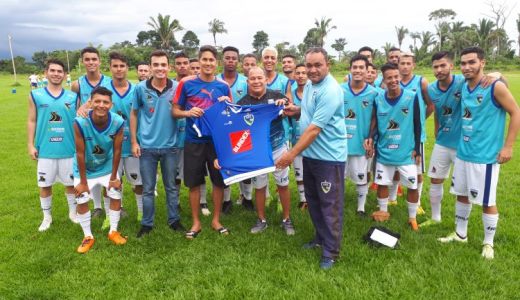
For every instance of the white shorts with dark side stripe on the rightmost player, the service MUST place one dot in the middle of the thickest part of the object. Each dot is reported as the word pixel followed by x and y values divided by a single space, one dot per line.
pixel 476 181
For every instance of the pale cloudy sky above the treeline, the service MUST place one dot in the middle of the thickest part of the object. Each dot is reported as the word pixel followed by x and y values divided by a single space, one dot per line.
pixel 50 25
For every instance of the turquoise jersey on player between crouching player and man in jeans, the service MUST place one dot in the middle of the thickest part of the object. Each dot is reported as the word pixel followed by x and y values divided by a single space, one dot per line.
pixel 122 105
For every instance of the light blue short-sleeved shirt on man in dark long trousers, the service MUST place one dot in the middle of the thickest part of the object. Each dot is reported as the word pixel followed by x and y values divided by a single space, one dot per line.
pixel 322 106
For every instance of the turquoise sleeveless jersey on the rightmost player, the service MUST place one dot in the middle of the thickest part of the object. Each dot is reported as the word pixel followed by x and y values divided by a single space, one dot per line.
pixel 483 122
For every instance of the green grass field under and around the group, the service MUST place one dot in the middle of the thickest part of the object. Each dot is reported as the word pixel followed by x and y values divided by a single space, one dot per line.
pixel 270 265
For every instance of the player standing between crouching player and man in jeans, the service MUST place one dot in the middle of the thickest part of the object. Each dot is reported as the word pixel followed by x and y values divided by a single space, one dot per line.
pixel 123 94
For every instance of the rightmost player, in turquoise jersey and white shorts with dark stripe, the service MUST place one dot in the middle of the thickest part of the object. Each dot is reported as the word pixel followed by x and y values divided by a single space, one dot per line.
pixel 481 148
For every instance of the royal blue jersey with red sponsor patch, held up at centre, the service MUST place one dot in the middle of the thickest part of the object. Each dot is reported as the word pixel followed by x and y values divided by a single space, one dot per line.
pixel 241 138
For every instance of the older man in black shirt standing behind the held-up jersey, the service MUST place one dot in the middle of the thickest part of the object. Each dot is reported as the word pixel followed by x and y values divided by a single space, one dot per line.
pixel 259 94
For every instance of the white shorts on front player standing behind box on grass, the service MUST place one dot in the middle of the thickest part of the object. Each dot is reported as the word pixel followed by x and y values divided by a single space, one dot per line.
pixel 385 174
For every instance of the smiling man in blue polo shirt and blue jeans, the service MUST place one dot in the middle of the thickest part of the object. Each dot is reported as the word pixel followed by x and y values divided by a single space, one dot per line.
pixel 153 133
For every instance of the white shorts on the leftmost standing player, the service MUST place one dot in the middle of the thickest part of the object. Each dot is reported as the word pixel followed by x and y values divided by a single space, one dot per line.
pixel 51 170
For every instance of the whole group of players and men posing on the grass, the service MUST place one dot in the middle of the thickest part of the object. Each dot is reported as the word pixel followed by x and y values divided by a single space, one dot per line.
pixel 370 126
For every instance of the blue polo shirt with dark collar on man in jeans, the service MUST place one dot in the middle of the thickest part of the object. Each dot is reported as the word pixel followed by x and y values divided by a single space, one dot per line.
pixel 156 127
